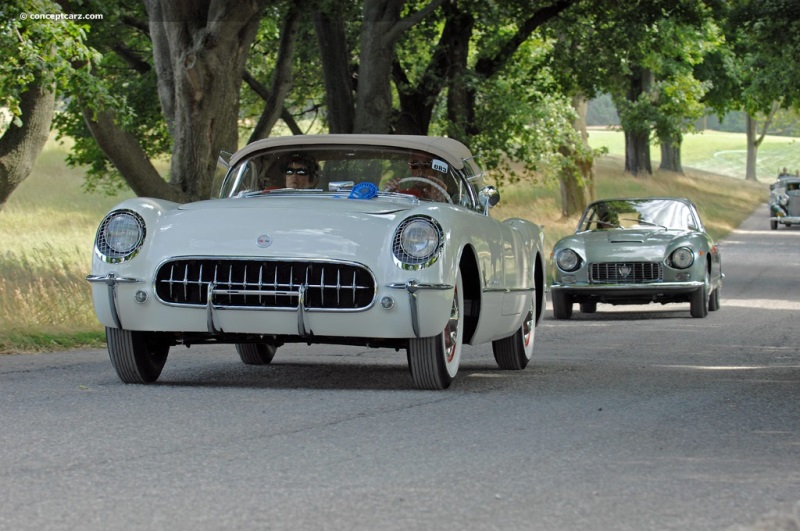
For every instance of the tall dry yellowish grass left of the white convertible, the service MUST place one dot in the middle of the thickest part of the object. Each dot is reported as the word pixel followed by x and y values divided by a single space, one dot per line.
pixel 47 229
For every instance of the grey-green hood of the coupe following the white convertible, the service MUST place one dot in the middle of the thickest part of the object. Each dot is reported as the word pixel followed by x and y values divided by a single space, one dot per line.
pixel 625 244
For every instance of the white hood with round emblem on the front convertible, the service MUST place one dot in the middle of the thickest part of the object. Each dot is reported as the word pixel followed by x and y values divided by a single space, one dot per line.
pixel 337 228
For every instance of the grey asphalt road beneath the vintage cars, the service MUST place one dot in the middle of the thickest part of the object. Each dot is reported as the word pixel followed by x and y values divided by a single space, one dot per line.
pixel 631 418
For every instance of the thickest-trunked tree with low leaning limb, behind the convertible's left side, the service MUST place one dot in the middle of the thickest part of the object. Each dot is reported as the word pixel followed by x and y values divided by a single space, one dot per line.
pixel 194 59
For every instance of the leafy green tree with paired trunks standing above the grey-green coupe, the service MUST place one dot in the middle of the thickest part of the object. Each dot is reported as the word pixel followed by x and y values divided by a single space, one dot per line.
pixel 641 52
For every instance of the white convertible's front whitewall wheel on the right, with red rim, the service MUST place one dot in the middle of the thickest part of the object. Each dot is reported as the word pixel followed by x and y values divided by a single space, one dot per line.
pixel 433 361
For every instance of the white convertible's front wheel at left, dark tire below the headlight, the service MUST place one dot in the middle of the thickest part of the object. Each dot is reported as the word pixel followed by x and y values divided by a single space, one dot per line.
pixel 138 357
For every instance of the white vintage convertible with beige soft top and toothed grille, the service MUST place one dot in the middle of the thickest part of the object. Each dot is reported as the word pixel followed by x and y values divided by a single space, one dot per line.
pixel 391 246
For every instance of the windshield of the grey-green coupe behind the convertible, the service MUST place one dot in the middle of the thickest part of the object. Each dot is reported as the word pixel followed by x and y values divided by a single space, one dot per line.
pixel 639 214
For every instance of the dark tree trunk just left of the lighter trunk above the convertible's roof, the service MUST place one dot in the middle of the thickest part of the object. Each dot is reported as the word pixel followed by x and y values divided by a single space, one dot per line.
pixel 337 74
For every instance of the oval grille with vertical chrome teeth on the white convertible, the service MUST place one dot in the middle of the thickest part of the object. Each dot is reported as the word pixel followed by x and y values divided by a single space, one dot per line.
pixel 265 283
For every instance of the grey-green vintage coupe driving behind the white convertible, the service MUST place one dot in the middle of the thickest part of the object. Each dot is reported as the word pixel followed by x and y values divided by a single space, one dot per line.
pixel 637 251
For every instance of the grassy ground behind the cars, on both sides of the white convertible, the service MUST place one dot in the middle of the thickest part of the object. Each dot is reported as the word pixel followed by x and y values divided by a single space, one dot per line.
pixel 47 228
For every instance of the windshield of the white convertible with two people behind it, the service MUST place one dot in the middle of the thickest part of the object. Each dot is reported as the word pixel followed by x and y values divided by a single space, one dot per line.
pixel 341 168
